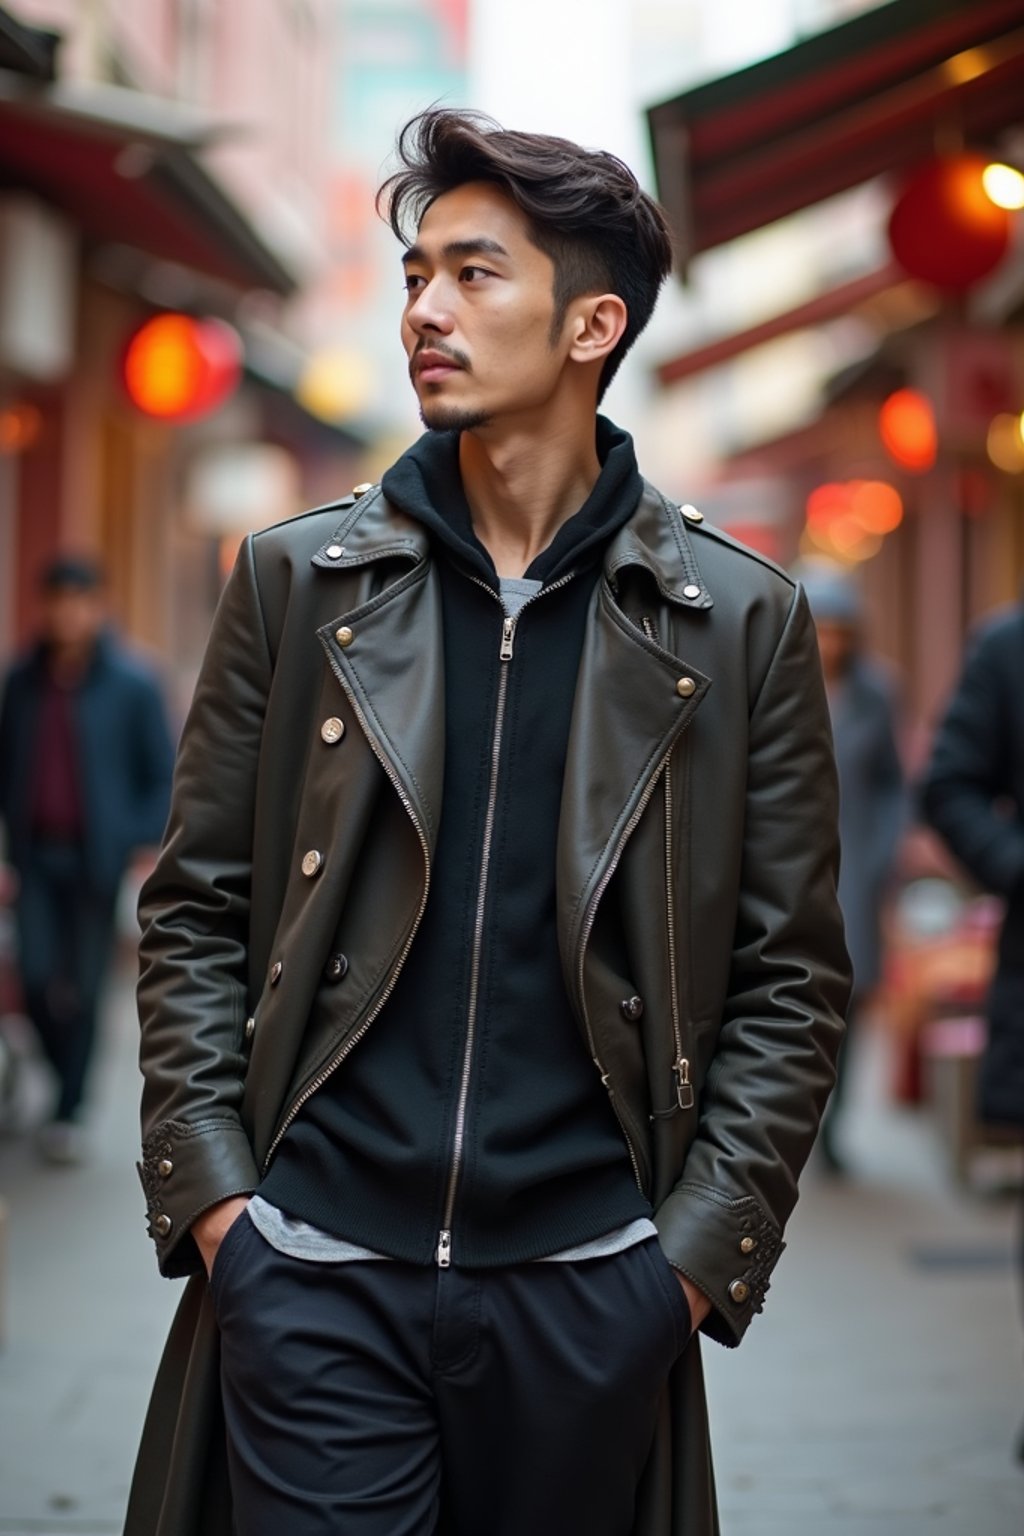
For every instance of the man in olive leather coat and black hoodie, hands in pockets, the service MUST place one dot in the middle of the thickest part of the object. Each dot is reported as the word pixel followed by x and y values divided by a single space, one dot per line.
pixel 494 975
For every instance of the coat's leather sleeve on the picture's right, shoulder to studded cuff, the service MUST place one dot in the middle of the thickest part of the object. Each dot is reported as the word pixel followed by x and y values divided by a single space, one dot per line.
pixel 784 1019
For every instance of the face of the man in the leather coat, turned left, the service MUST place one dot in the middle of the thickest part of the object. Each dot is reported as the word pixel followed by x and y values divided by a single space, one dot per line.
pixel 480 311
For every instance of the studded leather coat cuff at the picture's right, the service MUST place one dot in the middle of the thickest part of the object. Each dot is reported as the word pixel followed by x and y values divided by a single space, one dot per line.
pixel 728 1248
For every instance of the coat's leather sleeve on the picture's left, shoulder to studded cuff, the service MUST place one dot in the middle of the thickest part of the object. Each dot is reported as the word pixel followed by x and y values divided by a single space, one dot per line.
pixel 194 913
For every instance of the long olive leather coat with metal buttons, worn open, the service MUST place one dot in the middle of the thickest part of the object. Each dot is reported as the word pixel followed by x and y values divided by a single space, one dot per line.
pixel 699 790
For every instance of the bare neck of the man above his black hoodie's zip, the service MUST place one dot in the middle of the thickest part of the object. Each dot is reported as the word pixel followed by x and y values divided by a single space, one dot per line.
pixel 521 489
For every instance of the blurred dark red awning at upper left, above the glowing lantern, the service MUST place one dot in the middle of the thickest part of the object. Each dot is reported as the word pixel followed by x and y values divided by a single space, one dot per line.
pixel 127 168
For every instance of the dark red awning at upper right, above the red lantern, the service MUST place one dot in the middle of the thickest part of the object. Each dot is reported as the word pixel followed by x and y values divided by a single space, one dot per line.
pixel 871 96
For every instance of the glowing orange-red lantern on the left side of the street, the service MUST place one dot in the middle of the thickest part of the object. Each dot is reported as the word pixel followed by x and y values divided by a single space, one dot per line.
pixel 180 369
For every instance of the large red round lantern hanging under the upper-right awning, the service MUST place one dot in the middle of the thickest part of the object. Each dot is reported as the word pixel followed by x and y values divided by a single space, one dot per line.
pixel 945 228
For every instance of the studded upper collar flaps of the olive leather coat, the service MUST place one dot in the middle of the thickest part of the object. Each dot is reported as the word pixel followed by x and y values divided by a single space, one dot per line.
pixel 656 538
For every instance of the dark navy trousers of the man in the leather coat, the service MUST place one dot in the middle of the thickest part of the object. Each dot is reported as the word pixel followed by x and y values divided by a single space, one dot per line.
pixel 375 1399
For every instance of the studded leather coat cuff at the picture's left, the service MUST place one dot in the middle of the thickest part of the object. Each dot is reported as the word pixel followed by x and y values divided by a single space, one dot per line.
pixel 185 1171
